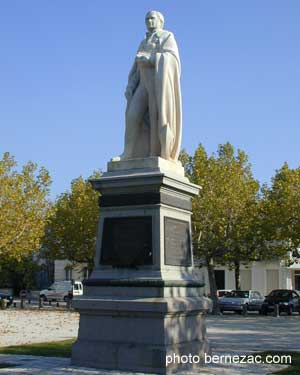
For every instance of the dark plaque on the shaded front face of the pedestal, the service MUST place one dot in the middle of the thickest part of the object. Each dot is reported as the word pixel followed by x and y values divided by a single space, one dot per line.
pixel 127 241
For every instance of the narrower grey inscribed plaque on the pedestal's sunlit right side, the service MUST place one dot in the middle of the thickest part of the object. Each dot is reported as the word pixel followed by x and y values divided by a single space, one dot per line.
pixel 177 242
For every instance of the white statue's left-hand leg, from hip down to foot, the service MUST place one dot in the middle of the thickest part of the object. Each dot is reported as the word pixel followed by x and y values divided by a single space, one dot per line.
pixel 134 116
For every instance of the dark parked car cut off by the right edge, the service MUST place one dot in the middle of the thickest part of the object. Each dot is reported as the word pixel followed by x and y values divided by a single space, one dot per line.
pixel 287 300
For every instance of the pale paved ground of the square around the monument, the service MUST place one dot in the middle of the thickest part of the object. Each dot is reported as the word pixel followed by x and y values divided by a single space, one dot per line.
pixel 228 334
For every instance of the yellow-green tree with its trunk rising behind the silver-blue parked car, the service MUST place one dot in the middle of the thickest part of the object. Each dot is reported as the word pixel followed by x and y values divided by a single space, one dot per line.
pixel 240 210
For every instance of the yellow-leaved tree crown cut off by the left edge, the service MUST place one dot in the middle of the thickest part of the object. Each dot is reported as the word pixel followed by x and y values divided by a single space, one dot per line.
pixel 24 208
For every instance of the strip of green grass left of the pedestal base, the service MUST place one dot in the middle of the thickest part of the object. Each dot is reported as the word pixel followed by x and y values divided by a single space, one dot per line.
pixel 44 349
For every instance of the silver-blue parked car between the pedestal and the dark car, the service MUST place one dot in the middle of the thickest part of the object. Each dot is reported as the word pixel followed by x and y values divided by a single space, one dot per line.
pixel 241 301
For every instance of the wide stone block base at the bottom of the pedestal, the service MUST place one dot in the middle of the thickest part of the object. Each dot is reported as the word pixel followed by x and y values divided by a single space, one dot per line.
pixel 139 334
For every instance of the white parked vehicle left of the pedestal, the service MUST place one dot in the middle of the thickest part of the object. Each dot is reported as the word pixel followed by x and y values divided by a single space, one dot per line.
pixel 62 291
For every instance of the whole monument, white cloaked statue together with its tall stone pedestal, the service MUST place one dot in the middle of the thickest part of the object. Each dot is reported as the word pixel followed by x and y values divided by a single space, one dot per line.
pixel 143 301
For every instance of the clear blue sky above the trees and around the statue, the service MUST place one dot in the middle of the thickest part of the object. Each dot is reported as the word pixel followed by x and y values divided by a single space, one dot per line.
pixel 64 67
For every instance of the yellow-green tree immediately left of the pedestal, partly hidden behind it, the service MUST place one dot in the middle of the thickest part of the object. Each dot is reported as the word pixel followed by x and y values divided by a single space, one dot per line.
pixel 71 233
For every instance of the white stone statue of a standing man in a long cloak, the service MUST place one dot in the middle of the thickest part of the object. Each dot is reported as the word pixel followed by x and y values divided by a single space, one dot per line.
pixel 153 113
